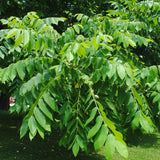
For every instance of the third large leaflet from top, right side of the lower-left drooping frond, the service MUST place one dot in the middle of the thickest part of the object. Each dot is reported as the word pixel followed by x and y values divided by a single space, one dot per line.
pixel 40 117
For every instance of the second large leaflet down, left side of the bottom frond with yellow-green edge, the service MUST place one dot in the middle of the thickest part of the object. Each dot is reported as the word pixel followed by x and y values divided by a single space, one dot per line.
pixel 92 132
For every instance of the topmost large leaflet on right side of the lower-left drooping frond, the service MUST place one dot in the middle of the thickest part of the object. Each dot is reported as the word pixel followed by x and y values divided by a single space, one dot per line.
pixel 50 101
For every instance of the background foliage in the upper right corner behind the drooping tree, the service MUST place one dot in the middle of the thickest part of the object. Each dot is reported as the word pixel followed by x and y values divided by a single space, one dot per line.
pixel 146 13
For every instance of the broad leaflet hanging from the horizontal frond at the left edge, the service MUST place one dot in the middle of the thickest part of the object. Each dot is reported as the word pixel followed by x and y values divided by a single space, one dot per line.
pixel 20 67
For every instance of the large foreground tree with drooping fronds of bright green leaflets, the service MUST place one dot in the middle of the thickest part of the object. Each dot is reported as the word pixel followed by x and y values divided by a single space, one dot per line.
pixel 87 82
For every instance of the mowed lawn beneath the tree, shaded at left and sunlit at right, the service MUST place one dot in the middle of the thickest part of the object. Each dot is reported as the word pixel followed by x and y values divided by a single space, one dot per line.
pixel 12 148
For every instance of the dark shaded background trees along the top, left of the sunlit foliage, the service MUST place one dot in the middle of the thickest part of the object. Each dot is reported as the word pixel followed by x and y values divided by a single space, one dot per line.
pixel 51 7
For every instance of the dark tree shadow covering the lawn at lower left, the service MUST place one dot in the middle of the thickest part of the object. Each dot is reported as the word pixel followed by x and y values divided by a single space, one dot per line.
pixel 12 147
